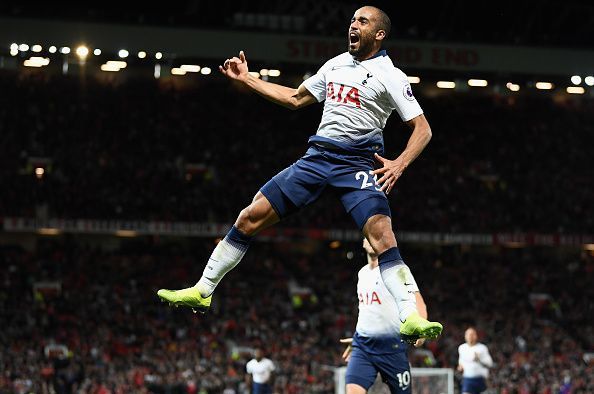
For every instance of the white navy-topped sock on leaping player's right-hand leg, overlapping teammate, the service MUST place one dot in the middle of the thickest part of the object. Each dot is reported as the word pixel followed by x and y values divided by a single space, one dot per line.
pixel 399 281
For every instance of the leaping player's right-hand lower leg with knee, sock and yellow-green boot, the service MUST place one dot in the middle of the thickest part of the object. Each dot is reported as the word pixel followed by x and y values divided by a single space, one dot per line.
pixel 398 279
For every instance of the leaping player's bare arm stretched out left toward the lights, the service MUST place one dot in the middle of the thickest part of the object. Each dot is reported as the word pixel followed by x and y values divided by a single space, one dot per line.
pixel 236 68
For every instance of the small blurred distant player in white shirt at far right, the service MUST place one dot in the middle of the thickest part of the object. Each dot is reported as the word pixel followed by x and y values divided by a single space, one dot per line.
pixel 474 362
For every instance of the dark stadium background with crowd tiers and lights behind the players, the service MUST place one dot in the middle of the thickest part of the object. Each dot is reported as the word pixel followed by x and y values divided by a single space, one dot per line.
pixel 114 184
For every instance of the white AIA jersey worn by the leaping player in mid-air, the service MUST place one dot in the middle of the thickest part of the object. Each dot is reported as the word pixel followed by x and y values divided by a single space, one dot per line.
pixel 360 96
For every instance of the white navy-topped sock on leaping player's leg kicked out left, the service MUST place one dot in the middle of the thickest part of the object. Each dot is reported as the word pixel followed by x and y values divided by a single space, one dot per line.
pixel 226 255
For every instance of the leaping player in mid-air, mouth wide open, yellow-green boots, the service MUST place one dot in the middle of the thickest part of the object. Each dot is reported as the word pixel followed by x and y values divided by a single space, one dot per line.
pixel 360 89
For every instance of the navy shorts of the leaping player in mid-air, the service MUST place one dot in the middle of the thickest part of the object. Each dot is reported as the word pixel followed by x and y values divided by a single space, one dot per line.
pixel 348 175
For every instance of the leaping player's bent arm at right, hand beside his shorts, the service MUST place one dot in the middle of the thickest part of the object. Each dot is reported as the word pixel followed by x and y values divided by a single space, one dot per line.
pixel 392 169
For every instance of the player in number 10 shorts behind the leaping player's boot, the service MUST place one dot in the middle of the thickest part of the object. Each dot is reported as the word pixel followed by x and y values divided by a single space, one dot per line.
pixel 376 346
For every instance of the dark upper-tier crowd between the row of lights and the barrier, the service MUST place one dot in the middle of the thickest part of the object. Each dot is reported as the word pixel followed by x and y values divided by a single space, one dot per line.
pixel 144 149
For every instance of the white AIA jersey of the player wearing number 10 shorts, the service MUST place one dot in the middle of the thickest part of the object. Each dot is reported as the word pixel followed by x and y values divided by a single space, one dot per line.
pixel 378 311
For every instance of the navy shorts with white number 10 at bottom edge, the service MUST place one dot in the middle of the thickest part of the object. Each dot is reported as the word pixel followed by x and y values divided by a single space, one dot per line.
pixel 394 369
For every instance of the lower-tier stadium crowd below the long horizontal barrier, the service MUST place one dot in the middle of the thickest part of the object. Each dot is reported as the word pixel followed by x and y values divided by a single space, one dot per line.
pixel 78 318
